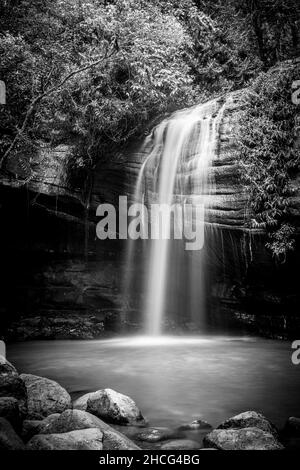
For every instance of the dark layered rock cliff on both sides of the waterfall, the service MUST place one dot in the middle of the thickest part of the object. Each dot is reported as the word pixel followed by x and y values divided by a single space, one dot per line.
pixel 60 281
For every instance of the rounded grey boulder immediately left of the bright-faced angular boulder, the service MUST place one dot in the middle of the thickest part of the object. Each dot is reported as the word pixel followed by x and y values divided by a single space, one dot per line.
pixel 44 396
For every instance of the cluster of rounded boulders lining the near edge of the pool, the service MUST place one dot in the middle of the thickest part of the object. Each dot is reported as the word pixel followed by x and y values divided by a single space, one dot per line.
pixel 36 413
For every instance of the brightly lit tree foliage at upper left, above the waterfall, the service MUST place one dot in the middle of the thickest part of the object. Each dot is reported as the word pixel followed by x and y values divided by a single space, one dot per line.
pixel 42 42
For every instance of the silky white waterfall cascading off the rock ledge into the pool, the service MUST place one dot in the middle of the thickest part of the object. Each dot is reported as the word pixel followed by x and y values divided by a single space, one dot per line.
pixel 178 155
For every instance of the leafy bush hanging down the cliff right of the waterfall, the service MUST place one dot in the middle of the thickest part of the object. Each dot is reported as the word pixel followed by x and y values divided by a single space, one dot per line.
pixel 269 156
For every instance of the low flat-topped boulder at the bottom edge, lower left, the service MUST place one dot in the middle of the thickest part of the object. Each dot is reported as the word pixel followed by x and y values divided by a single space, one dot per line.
pixel 85 439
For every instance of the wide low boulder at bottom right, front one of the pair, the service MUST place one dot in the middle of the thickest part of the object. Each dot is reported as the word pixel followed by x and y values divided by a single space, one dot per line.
pixel 250 438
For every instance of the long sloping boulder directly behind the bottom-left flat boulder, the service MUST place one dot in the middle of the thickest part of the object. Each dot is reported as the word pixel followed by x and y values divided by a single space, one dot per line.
pixel 74 420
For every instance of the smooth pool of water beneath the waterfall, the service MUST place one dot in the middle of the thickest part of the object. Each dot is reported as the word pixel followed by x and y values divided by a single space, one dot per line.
pixel 174 380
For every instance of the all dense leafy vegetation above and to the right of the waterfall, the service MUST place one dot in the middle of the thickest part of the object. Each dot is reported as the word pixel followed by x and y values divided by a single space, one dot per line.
pixel 93 73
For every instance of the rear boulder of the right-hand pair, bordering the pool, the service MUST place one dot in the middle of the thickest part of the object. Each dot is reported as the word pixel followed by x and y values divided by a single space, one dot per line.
pixel 249 419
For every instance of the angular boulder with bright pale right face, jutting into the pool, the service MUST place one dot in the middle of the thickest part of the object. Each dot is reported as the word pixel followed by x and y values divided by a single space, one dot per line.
pixel 114 407
